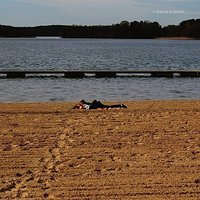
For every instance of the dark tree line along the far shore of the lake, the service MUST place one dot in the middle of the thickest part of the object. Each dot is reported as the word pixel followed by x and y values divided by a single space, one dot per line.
pixel 125 29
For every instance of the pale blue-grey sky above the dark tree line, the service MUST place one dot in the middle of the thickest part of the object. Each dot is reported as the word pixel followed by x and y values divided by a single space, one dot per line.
pixel 95 12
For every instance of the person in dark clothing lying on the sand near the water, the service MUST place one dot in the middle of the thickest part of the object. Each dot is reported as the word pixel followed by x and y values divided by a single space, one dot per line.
pixel 96 105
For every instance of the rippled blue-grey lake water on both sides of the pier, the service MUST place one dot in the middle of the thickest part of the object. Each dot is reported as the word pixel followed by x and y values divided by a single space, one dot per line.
pixel 98 54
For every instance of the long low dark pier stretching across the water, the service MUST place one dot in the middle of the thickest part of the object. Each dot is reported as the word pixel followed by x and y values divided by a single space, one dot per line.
pixel 103 73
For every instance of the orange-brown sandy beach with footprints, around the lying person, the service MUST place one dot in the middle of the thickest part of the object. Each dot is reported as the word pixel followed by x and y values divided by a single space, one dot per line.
pixel 149 151
